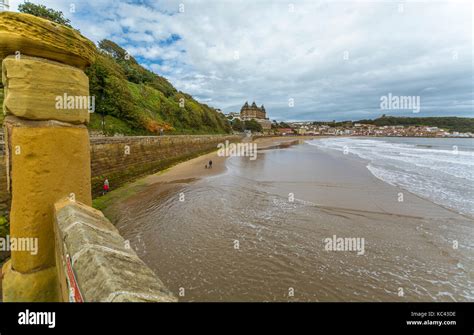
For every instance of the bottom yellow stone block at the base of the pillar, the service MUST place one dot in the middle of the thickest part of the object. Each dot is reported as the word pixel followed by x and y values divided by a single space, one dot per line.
pixel 27 287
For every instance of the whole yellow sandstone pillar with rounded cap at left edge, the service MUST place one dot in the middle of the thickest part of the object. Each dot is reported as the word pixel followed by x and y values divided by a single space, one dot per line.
pixel 47 142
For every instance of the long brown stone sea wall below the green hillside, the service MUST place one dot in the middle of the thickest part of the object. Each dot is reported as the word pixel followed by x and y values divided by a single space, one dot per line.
pixel 123 159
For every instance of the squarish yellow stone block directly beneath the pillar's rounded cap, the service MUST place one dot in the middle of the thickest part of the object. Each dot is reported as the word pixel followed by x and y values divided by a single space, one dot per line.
pixel 39 89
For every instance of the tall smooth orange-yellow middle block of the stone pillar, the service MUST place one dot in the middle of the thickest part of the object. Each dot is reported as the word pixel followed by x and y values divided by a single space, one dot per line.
pixel 49 161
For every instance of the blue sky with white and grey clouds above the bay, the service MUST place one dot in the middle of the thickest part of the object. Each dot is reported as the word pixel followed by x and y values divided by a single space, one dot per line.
pixel 304 60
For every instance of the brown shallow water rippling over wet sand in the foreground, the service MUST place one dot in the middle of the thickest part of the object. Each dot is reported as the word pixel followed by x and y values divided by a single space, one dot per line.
pixel 239 237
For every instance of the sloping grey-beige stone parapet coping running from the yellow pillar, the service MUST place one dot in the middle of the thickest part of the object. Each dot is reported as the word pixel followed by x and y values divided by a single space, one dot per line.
pixel 95 263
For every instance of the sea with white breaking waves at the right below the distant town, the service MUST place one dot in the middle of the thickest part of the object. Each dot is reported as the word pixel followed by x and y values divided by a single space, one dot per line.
pixel 439 169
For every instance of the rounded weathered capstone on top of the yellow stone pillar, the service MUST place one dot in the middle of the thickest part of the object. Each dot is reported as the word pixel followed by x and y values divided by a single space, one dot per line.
pixel 34 36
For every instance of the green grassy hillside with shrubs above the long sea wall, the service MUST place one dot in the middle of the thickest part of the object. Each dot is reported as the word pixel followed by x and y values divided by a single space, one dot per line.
pixel 135 101
